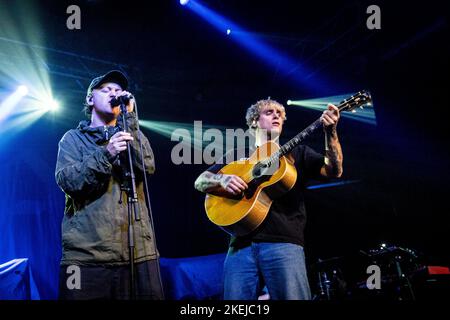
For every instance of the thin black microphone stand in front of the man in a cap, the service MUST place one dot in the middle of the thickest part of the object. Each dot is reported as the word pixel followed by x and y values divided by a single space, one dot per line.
pixel 132 200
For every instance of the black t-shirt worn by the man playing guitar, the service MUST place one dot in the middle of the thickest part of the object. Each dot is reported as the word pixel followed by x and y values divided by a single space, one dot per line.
pixel 286 219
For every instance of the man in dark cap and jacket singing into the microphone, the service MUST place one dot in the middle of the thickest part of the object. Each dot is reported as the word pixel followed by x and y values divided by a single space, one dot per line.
pixel 90 169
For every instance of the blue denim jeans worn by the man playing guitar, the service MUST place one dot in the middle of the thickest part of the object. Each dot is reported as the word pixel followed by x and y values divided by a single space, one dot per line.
pixel 279 266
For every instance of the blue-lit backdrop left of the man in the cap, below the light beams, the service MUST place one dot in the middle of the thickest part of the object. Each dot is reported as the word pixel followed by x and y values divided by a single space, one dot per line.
pixel 31 208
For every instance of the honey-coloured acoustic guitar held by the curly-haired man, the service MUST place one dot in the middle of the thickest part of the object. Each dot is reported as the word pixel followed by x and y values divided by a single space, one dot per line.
pixel 269 173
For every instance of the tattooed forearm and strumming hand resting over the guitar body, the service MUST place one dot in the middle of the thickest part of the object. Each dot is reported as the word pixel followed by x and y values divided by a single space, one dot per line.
pixel 220 184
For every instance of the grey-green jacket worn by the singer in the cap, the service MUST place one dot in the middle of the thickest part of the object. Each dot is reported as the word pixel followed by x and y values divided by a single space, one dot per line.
pixel 95 223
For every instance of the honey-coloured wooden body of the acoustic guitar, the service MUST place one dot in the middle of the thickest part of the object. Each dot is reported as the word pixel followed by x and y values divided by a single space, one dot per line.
pixel 240 216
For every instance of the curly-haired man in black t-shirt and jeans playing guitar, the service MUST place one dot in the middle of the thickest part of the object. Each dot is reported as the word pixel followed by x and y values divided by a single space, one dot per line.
pixel 272 255
